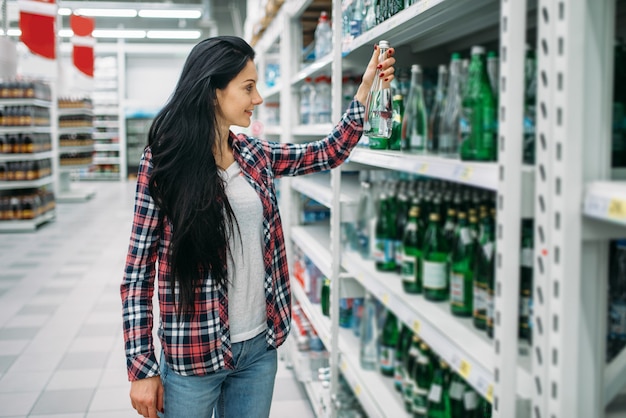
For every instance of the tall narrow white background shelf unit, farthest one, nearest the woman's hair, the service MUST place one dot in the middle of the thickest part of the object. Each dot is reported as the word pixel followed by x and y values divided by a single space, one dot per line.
pixel 107 134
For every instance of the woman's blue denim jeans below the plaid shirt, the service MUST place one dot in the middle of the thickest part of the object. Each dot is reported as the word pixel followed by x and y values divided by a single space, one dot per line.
pixel 245 391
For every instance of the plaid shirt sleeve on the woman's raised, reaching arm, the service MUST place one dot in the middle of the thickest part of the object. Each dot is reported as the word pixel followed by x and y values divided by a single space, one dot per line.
pixel 330 152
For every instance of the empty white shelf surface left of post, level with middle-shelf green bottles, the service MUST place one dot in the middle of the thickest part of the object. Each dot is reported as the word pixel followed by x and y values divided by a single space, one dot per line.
pixel 314 241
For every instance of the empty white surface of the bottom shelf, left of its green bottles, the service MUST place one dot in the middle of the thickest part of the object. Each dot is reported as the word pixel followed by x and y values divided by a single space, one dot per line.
pixel 374 391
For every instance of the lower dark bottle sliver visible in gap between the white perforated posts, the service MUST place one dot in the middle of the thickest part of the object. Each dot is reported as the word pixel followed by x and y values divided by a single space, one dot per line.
pixel 526 280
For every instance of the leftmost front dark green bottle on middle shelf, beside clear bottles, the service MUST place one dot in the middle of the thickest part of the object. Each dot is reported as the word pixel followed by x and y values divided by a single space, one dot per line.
pixel 384 247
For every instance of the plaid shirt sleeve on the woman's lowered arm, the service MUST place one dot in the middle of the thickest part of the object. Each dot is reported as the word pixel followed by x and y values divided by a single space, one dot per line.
pixel 137 285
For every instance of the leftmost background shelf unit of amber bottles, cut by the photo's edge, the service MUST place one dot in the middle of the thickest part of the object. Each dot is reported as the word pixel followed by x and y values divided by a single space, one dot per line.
pixel 27 197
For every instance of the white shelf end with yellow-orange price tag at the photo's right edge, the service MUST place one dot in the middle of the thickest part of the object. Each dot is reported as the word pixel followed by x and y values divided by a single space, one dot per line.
pixel 606 200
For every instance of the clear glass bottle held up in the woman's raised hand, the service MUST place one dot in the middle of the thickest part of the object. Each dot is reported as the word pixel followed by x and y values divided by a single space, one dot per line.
pixel 378 115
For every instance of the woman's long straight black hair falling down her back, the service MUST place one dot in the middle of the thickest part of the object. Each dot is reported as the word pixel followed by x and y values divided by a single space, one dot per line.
pixel 185 183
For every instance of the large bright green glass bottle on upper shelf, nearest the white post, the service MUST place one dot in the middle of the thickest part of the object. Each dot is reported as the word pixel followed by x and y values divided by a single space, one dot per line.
pixel 478 121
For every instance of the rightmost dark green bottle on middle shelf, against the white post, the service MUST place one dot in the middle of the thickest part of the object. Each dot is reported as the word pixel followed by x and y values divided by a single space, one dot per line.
pixel 483 268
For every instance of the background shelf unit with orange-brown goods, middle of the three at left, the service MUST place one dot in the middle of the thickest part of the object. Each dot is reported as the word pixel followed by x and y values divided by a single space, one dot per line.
pixel 76 147
